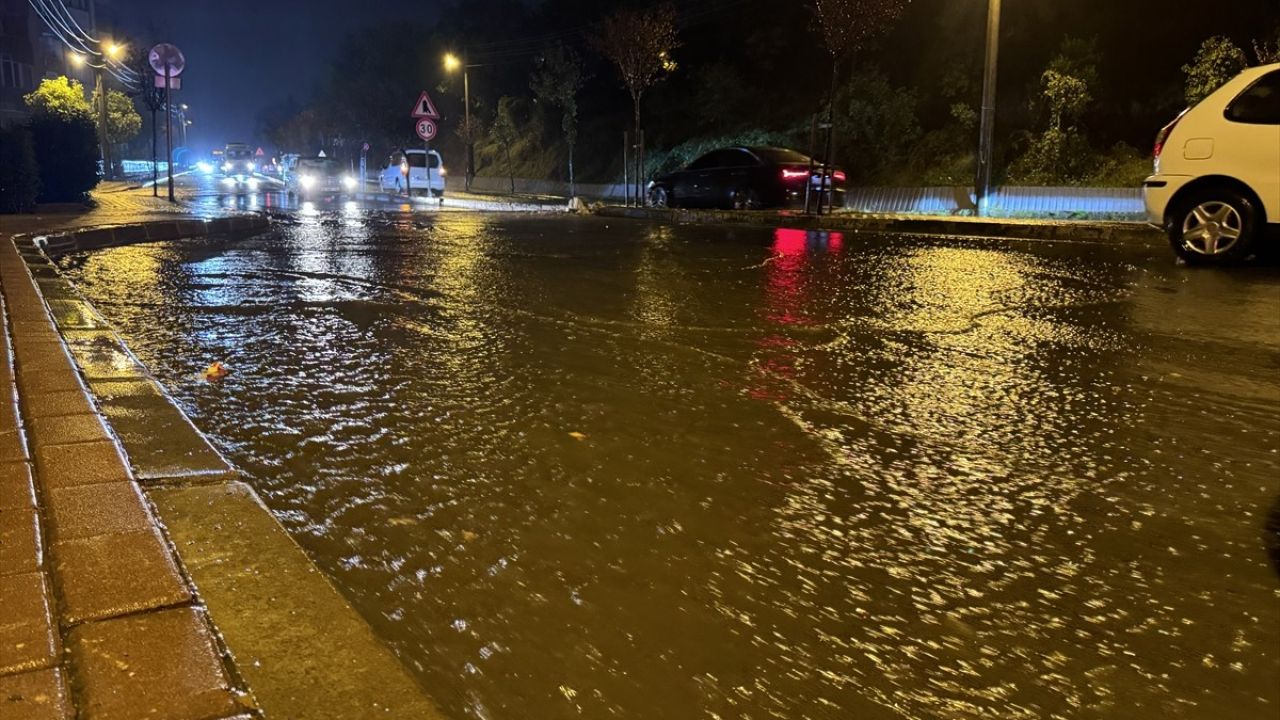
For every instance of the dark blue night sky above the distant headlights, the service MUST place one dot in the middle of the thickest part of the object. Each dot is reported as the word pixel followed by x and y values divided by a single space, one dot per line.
pixel 244 56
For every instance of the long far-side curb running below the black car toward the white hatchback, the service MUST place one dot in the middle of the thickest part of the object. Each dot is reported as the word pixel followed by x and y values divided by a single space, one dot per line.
pixel 1126 234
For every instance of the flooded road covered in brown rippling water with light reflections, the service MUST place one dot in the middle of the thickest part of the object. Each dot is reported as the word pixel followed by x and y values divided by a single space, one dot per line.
pixel 579 468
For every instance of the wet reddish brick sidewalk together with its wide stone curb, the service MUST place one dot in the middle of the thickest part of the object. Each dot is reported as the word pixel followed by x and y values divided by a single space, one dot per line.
pixel 139 576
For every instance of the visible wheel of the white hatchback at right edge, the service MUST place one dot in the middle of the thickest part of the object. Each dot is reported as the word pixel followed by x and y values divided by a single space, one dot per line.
pixel 1214 227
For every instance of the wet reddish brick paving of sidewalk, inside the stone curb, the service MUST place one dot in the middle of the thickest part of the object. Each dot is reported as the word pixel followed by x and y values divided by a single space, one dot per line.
pixel 98 619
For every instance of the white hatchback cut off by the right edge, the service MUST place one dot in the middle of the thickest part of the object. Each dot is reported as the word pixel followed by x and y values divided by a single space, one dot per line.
pixel 1217 190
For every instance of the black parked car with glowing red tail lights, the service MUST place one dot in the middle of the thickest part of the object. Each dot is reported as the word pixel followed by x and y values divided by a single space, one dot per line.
pixel 744 179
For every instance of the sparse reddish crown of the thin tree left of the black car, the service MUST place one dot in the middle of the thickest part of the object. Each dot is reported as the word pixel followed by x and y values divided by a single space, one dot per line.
pixel 641 43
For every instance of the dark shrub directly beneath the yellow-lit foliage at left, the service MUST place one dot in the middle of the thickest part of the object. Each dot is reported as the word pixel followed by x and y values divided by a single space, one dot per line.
pixel 67 156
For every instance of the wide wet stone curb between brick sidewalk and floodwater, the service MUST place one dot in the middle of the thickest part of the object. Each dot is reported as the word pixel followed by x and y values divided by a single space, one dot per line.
pixel 292 645
